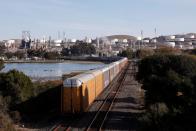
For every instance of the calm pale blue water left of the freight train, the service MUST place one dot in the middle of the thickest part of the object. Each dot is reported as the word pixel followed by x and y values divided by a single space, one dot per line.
pixel 49 70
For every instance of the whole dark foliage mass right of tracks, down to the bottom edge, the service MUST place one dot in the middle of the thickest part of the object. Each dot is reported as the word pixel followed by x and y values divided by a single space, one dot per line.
pixel 169 80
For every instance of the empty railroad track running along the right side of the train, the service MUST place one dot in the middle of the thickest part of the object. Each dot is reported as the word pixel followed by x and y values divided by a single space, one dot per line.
pixel 101 115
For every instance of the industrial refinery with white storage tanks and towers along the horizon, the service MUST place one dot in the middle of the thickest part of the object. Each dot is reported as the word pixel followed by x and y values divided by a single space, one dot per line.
pixel 108 45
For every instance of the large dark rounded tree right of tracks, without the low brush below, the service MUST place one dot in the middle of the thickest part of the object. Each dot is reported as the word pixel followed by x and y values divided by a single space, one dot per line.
pixel 168 79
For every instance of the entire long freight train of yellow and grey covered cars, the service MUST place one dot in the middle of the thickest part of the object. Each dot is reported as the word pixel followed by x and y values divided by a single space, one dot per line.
pixel 80 91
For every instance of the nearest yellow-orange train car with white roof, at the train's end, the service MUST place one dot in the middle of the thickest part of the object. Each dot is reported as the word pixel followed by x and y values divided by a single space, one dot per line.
pixel 78 93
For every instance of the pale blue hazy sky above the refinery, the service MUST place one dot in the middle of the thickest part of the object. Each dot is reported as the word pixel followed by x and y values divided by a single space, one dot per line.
pixel 95 18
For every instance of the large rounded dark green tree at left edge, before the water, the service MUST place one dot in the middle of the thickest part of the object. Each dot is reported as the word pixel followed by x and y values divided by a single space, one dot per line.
pixel 16 85
